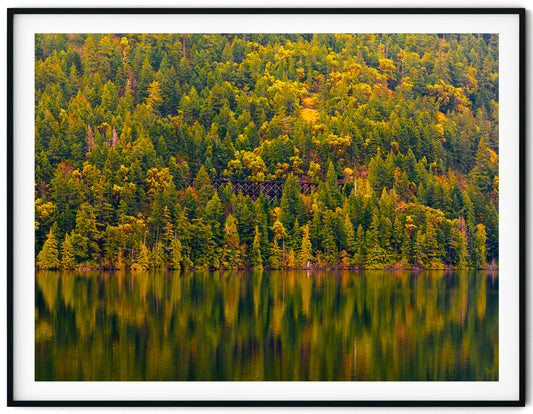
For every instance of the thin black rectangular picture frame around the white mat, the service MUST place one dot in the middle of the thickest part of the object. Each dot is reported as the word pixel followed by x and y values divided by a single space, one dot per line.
pixel 400 12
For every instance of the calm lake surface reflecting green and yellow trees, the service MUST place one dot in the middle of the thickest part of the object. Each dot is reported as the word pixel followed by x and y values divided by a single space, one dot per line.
pixel 281 326
